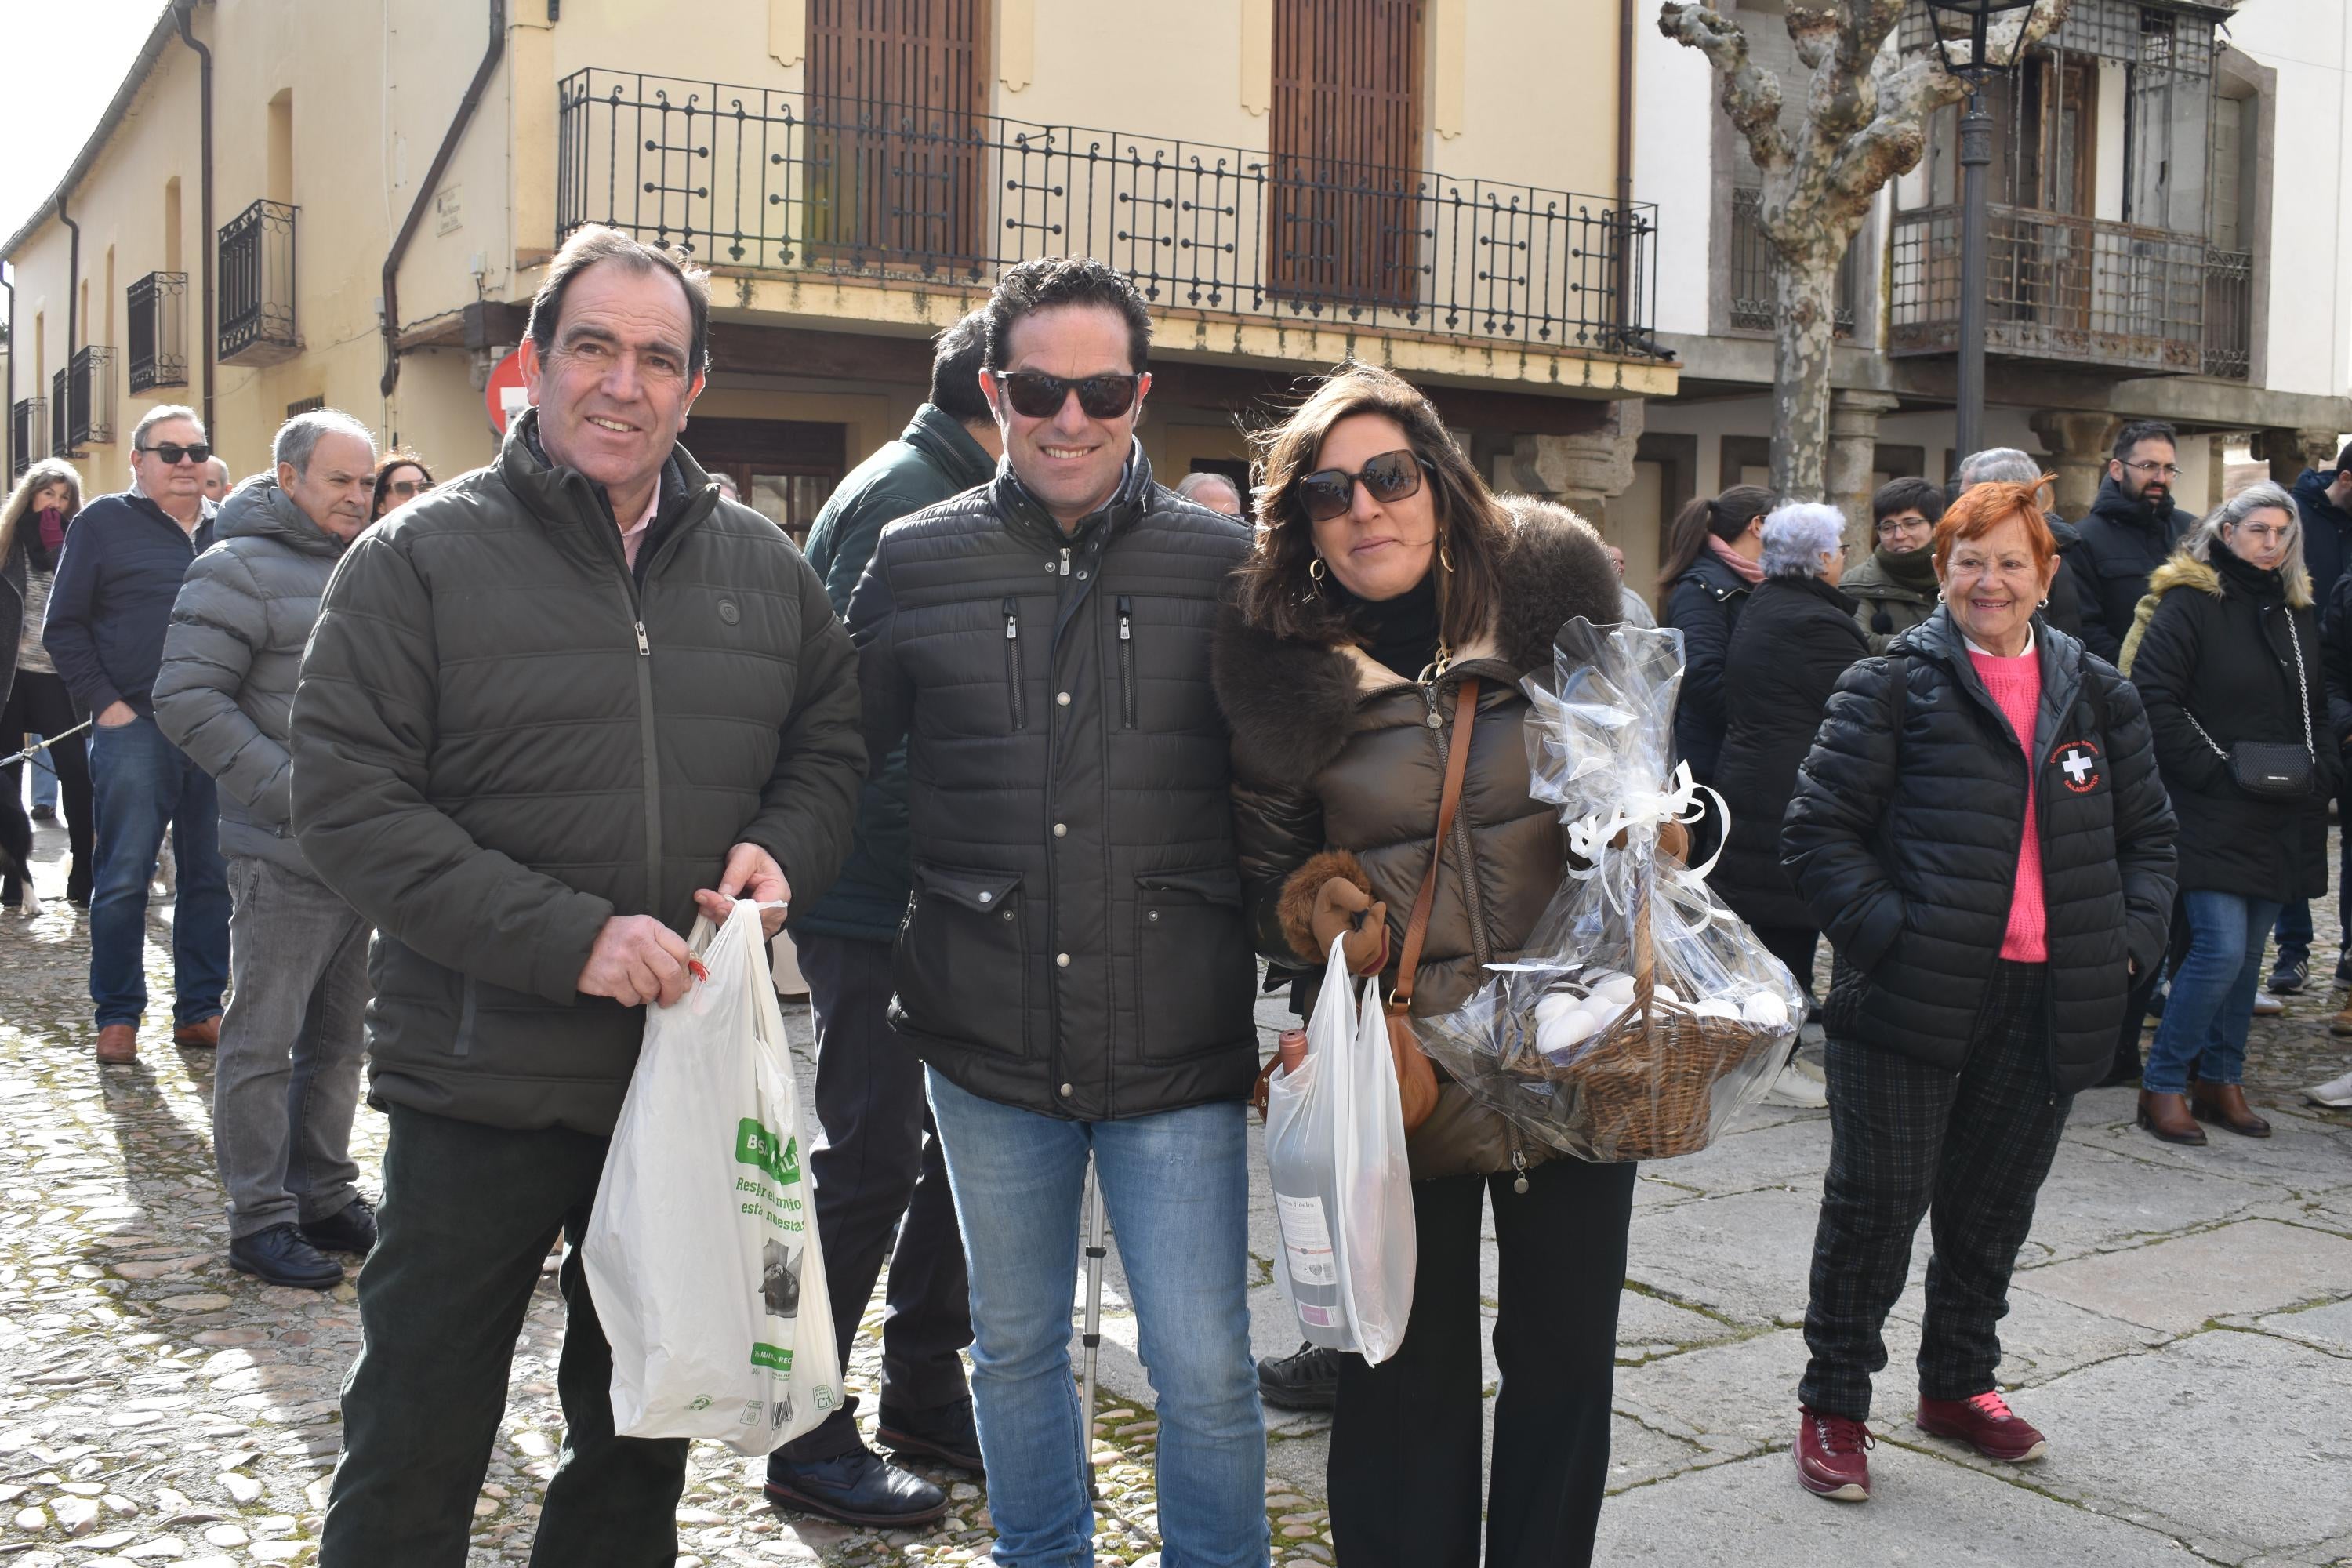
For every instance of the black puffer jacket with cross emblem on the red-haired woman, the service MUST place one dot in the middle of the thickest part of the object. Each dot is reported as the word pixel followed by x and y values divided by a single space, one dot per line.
pixel 1906 829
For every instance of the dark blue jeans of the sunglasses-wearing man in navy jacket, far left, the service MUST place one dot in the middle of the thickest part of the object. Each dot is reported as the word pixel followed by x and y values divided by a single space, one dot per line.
pixel 147 786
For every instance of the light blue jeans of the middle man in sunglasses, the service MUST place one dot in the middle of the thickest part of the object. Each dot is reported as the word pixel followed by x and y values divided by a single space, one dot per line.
pixel 1177 1191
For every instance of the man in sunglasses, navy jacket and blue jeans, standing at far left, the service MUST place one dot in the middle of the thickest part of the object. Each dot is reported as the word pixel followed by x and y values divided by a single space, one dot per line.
pixel 109 612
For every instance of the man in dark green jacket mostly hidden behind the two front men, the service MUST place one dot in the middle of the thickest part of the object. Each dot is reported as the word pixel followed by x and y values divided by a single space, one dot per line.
pixel 876 1172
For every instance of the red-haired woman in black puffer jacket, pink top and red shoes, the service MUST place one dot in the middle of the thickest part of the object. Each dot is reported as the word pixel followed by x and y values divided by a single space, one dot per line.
pixel 1984 836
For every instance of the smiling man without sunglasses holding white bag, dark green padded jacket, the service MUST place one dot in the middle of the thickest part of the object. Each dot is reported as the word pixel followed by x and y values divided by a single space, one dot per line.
pixel 547 716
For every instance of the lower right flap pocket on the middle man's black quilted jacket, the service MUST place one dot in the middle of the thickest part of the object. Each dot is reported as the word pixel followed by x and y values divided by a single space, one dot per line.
pixel 1194 963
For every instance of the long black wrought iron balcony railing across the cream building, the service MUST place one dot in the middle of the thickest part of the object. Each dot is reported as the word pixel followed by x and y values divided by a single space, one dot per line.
pixel 744 177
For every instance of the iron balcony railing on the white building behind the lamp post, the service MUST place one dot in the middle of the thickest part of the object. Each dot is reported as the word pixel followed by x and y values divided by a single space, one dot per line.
pixel 2078 290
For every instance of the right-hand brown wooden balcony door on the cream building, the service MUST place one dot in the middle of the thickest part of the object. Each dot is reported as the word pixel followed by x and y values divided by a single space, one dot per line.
pixel 1347 149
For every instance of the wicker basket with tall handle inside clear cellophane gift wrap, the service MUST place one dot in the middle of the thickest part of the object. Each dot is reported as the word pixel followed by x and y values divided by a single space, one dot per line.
pixel 1648 1083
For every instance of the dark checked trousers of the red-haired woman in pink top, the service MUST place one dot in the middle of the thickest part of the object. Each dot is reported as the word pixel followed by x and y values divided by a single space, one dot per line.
pixel 1970 1151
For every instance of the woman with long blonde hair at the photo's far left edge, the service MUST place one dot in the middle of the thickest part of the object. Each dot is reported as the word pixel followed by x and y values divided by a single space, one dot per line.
pixel 32 537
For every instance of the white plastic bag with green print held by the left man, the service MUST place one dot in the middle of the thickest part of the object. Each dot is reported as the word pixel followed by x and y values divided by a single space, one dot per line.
pixel 702 1249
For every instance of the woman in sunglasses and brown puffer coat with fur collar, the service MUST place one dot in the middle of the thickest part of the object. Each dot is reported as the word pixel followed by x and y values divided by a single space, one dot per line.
pixel 1384 577
